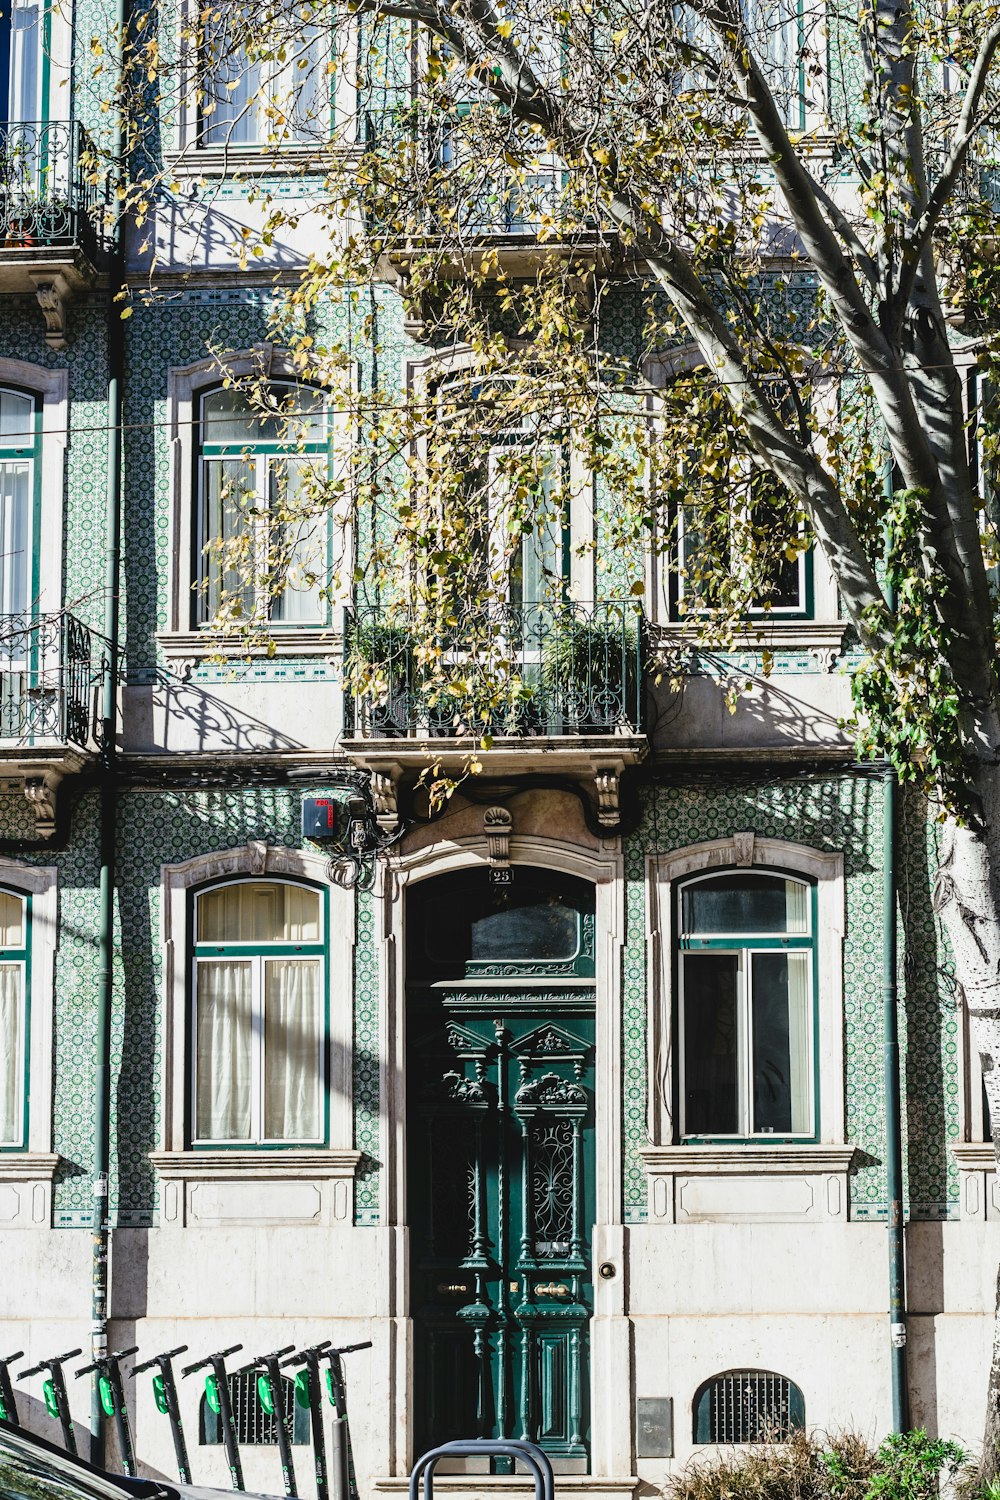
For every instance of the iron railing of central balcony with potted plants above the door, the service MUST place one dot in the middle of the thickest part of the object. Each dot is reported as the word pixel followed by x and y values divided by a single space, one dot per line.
pixel 536 671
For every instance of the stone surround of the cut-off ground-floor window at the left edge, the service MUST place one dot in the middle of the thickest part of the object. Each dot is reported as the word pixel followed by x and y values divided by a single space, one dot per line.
pixel 41 883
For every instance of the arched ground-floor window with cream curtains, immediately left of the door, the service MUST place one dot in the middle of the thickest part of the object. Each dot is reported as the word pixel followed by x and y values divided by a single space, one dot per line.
pixel 260 1015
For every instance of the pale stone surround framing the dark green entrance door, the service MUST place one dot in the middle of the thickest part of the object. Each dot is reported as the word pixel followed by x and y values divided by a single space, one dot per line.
pixel 605 871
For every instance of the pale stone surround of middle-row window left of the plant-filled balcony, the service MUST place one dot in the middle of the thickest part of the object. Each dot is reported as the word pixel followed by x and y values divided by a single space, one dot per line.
pixel 185 386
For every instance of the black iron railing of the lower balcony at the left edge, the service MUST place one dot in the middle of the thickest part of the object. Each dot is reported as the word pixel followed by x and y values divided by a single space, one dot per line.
pixel 49 671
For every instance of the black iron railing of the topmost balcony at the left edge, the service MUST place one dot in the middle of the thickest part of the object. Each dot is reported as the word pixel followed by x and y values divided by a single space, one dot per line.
pixel 50 196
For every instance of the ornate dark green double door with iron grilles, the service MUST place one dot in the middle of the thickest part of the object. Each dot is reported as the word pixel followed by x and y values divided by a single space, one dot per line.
pixel 501 1207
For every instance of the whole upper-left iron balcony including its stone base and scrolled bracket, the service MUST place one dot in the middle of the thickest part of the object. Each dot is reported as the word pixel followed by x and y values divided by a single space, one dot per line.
pixel 50 215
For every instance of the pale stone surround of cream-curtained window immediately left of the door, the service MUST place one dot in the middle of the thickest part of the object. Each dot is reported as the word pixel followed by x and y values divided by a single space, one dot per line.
pixel 266 863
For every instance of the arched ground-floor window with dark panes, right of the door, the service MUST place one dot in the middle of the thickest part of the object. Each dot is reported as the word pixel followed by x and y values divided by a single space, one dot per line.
pixel 747 1012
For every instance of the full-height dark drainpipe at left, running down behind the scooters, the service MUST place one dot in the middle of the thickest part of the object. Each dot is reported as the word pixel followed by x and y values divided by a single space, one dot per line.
pixel 109 791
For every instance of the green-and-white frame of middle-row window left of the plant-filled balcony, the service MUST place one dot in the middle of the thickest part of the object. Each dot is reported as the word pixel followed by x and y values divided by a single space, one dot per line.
pixel 262 452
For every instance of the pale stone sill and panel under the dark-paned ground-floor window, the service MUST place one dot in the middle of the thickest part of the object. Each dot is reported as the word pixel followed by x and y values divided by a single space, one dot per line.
pixel 747 1184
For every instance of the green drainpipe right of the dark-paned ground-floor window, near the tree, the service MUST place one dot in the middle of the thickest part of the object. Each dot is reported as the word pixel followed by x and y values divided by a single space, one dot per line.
pixel 894 1109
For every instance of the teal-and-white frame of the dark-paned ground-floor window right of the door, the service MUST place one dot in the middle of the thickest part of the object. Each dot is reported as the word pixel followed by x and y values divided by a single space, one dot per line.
pixel 746 946
